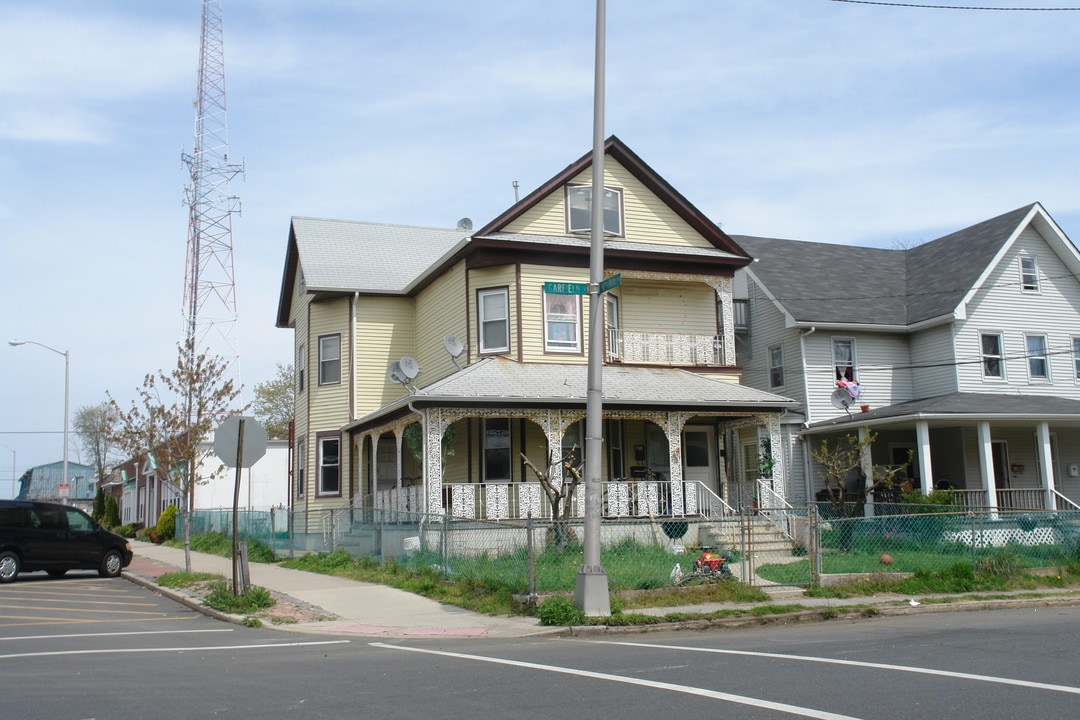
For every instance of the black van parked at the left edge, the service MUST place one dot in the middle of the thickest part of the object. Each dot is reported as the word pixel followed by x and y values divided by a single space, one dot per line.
pixel 36 536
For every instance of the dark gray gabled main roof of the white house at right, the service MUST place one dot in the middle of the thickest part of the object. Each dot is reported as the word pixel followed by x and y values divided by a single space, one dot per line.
pixel 826 284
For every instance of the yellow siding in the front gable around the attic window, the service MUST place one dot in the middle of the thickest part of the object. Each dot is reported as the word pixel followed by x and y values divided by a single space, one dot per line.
pixel 646 220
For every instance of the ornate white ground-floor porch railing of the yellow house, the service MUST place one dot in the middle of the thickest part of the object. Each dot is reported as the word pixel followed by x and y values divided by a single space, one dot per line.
pixel 503 501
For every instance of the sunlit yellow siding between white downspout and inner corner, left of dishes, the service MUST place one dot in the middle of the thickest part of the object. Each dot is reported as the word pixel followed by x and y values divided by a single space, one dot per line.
pixel 385 334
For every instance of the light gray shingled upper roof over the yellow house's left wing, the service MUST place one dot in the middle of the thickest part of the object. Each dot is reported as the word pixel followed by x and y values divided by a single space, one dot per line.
pixel 369 257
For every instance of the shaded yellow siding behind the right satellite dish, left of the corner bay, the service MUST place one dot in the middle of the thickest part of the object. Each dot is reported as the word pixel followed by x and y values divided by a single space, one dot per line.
pixel 440 311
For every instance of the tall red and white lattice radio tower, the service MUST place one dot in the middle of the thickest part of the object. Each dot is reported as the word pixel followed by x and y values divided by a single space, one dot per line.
pixel 210 290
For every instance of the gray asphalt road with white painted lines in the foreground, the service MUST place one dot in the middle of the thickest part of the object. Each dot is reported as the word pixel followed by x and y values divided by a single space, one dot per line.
pixel 80 648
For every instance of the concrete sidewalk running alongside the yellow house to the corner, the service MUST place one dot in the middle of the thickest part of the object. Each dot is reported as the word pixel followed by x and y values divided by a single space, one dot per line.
pixel 360 608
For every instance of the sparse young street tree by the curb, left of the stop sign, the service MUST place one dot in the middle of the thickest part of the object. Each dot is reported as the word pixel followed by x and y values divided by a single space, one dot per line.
pixel 172 419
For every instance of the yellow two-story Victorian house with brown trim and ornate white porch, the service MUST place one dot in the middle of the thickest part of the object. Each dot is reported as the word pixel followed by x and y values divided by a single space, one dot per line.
pixel 431 363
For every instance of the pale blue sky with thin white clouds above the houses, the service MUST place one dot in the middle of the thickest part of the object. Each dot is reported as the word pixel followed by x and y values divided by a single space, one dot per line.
pixel 804 119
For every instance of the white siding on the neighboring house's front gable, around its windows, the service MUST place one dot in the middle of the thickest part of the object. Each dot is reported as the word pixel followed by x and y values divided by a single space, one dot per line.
pixel 1003 307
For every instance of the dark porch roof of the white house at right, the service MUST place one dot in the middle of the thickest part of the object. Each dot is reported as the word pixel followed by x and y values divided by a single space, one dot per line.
pixel 961 409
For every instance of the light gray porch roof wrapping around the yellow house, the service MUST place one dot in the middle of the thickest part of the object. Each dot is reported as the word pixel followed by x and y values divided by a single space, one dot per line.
pixel 501 383
